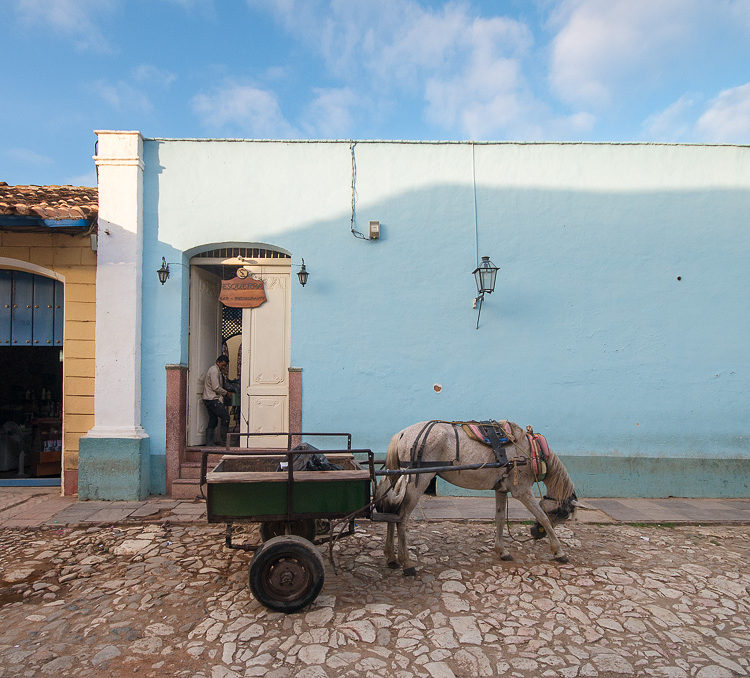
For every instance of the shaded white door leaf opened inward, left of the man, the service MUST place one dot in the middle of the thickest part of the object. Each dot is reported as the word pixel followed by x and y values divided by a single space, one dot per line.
pixel 204 345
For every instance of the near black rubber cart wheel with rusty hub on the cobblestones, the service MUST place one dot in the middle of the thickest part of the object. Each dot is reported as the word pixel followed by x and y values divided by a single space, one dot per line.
pixel 286 573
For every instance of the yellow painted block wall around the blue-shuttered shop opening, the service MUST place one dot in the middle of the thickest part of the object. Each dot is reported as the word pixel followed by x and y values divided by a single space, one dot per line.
pixel 72 258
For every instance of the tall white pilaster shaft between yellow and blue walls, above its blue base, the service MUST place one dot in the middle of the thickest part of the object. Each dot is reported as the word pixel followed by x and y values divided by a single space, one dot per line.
pixel 117 407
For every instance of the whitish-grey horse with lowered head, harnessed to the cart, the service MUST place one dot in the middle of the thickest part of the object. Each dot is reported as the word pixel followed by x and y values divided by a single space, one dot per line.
pixel 438 443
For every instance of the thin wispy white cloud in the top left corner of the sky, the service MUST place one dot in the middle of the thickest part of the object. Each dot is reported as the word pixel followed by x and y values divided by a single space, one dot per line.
pixel 75 19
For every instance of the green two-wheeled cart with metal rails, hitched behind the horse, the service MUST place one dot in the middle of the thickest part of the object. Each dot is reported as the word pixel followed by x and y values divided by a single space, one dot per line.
pixel 296 510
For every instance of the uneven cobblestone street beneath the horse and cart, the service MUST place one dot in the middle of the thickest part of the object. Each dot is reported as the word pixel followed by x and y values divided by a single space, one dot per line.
pixel 160 600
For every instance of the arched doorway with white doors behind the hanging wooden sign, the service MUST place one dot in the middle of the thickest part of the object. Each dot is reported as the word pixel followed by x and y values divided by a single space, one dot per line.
pixel 256 340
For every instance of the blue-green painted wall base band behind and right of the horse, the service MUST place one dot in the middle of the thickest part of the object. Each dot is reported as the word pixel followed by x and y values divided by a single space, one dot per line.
pixel 598 476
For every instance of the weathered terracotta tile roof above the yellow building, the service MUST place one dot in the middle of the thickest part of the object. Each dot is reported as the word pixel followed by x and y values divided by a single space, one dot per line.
pixel 49 202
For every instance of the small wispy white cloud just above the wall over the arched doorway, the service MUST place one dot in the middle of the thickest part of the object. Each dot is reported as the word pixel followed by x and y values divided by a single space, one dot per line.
pixel 246 108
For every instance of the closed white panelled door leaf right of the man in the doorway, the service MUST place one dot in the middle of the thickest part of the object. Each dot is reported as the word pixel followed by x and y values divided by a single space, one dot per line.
pixel 265 359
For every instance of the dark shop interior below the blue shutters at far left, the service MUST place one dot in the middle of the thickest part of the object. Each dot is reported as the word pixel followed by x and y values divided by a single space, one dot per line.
pixel 30 412
